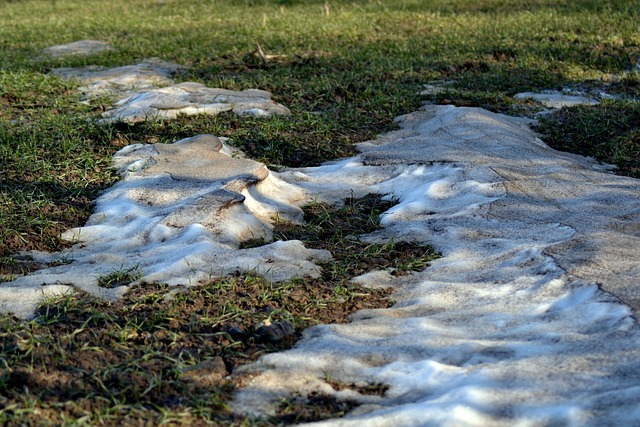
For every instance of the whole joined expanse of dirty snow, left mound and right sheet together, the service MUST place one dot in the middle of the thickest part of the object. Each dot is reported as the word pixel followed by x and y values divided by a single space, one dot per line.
pixel 528 319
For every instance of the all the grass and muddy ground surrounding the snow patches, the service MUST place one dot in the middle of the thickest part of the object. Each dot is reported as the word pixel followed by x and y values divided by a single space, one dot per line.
pixel 345 69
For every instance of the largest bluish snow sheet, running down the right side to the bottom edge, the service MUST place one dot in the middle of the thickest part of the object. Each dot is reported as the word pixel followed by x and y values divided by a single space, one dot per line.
pixel 497 332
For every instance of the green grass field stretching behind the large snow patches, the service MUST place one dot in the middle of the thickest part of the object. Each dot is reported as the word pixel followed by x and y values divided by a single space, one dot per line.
pixel 344 75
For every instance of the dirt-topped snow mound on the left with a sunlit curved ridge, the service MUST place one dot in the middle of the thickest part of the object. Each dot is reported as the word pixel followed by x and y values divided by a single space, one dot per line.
pixel 178 217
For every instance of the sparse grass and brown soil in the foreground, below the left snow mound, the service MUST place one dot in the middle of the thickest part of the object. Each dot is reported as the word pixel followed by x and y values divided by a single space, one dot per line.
pixel 148 358
